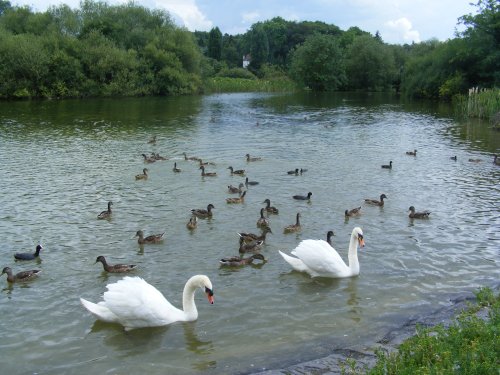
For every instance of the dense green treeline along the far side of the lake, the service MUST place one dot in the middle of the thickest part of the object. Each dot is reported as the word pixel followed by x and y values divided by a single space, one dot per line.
pixel 103 50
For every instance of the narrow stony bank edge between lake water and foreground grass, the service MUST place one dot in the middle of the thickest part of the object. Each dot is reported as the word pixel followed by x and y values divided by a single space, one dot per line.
pixel 344 361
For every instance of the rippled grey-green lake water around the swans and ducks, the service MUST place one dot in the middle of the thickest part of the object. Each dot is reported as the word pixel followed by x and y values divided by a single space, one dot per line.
pixel 63 161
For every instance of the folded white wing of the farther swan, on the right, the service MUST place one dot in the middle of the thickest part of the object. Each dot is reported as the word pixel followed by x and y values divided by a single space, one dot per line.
pixel 321 259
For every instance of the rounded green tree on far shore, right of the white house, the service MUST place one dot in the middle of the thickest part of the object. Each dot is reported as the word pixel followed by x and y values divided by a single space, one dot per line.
pixel 318 64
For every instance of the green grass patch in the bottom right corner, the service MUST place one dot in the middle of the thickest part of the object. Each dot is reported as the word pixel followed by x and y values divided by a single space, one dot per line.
pixel 470 345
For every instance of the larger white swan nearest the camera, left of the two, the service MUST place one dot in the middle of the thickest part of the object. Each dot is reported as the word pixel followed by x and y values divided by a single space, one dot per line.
pixel 134 303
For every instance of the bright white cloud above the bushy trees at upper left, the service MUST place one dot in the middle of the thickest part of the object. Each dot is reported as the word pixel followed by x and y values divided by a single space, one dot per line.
pixel 188 12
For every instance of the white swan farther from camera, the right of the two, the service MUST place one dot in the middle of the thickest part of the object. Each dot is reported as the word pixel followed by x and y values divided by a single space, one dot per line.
pixel 319 259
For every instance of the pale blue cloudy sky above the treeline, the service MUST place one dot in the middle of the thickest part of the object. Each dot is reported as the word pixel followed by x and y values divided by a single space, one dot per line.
pixel 397 21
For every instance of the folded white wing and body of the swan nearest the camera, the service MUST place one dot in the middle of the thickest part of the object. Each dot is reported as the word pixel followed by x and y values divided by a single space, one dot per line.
pixel 139 304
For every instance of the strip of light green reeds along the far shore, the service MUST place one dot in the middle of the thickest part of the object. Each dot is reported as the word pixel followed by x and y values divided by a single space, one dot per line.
pixel 227 84
